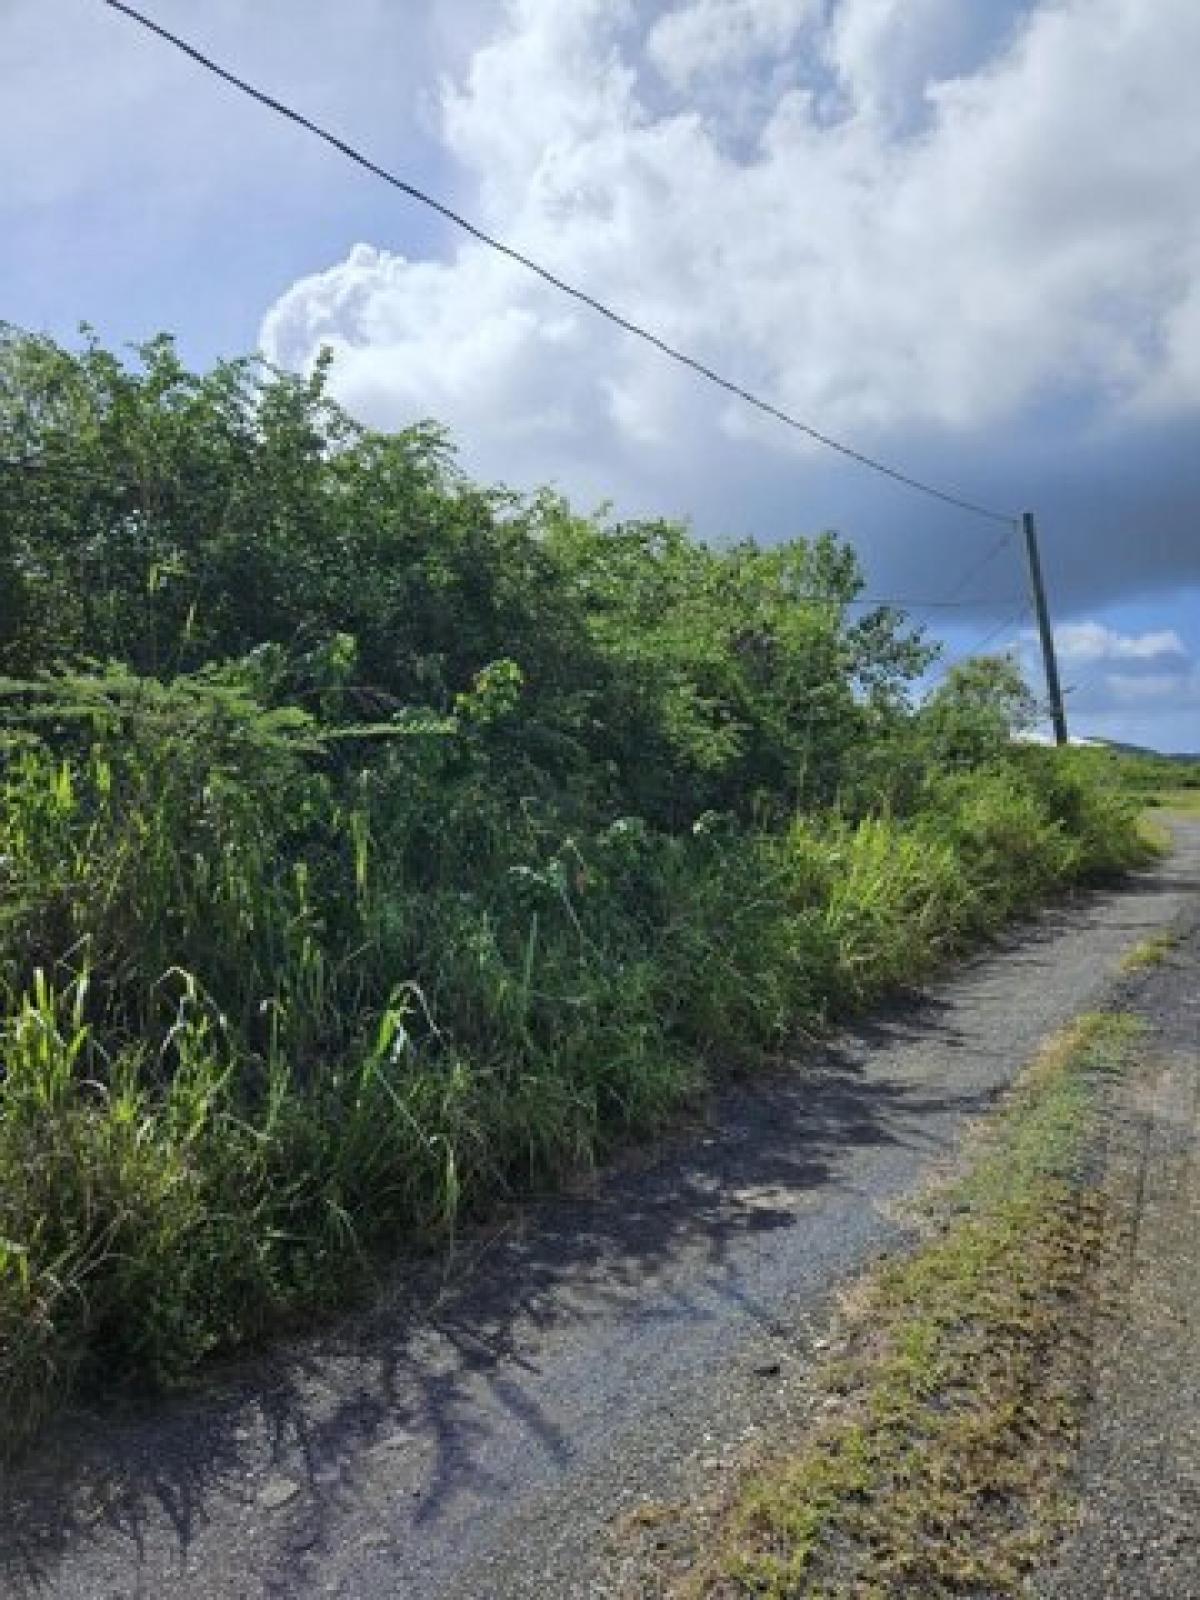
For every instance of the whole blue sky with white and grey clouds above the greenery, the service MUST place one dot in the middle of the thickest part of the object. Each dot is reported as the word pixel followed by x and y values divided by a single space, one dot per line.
pixel 962 238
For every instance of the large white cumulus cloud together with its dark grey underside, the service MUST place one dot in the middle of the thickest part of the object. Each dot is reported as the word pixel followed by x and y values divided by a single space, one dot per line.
pixel 919 226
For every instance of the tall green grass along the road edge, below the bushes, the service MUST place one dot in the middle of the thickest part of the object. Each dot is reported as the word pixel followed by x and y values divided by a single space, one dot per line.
pixel 249 1042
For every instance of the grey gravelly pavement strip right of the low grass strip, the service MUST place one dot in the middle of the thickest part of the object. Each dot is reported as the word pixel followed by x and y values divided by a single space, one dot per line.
pixel 1138 1482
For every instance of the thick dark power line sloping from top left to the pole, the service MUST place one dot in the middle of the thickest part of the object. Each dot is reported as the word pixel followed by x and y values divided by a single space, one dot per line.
pixel 551 278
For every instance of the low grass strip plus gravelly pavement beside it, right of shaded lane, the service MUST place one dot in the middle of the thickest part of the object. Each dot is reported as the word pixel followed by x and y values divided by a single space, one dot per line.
pixel 1017 1401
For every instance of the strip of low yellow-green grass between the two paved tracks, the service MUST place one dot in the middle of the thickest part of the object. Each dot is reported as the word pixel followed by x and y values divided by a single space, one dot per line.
pixel 954 1409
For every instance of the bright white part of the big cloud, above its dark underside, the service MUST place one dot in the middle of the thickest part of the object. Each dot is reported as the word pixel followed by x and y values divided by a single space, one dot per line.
pixel 1038 239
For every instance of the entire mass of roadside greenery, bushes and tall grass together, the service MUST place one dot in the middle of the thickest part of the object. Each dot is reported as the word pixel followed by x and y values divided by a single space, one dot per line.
pixel 375 846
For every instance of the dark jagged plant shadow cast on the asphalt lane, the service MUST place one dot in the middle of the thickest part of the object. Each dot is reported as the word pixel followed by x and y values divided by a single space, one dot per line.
pixel 450 1351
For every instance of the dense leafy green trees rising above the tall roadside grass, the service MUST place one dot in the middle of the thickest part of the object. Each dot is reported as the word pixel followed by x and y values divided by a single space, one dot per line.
pixel 169 521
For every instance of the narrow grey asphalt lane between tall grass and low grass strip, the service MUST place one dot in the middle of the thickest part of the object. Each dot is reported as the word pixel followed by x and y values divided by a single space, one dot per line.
pixel 476 1436
